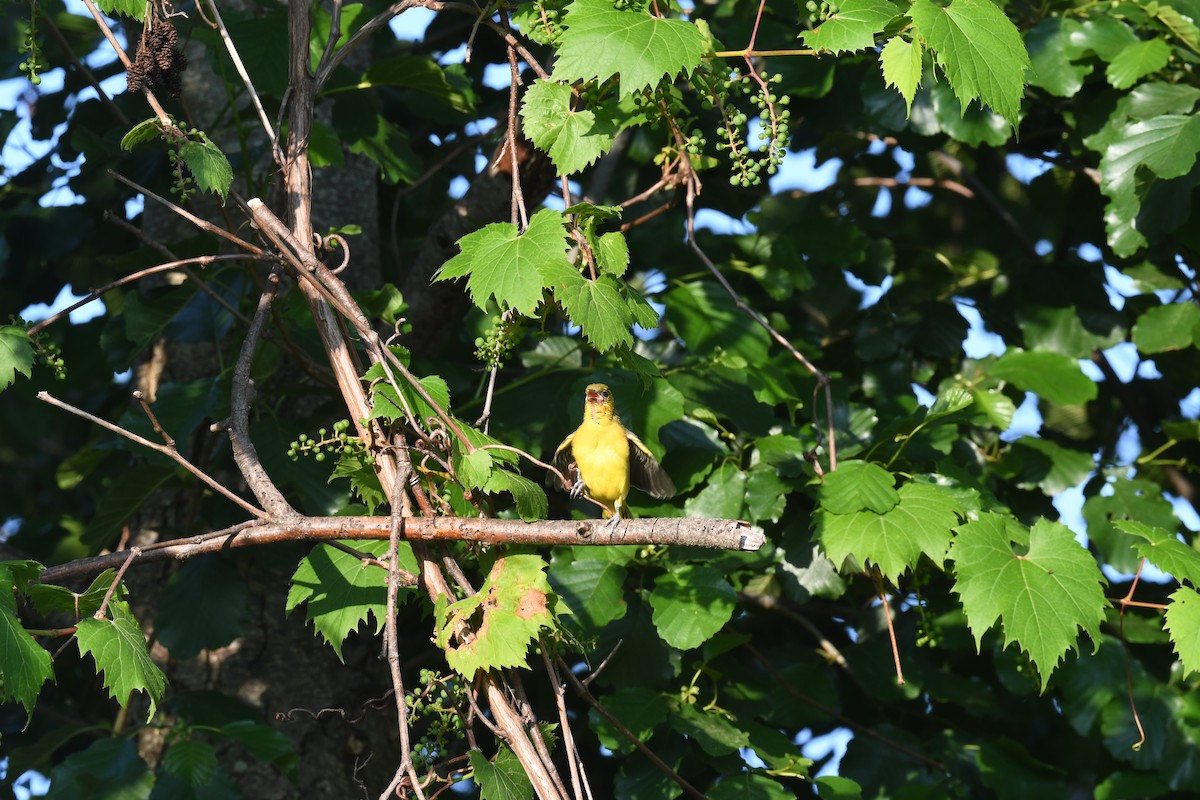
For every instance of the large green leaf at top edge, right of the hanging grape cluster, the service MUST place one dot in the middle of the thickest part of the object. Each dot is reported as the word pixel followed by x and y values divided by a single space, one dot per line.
pixel 979 49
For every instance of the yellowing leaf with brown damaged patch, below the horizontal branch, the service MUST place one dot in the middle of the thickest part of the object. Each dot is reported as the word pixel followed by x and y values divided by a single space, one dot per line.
pixel 506 616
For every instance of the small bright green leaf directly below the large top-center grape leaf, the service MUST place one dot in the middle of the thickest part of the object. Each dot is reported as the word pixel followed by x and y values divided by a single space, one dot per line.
pixel 574 139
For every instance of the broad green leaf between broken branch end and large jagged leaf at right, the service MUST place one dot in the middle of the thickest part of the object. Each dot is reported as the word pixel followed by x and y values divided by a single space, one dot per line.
pixel 895 542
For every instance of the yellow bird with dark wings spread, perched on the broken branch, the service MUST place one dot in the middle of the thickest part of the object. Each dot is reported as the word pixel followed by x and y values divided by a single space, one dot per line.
pixel 608 458
